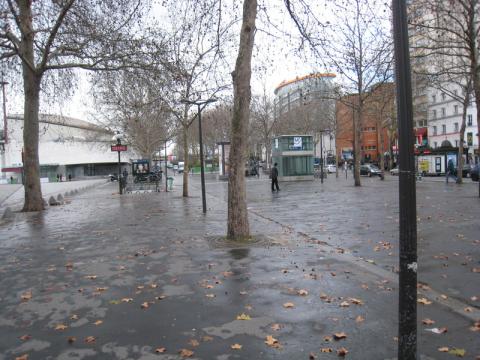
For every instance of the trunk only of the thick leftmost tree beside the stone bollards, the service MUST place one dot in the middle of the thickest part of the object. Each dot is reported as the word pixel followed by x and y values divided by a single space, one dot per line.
pixel 31 86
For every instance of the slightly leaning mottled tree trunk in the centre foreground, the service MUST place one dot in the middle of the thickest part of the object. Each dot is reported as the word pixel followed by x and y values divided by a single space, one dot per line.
pixel 238 226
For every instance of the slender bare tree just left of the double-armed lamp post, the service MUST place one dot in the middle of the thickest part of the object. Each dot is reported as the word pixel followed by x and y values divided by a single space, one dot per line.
pixel 199 40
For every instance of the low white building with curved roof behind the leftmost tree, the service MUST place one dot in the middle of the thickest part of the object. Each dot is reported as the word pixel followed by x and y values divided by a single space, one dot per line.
pixel 67 146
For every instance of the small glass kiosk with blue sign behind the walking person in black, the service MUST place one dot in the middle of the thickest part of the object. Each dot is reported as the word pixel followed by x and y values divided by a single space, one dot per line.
pixel 294 157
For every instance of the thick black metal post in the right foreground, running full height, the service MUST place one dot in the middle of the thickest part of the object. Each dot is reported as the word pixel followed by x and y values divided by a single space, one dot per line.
pixel 407 310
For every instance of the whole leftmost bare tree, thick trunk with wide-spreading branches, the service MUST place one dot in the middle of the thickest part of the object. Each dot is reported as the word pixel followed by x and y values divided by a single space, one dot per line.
pixel 43 37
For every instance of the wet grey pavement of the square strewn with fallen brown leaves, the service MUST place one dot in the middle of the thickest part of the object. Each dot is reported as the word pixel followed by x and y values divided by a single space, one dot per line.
pixel 148 276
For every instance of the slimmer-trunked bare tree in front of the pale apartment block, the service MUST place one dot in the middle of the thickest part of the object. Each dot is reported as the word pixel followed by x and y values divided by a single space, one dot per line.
pixel 450 31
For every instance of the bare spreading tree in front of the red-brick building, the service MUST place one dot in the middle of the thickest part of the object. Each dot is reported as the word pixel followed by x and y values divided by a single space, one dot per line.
pixel 358 46
